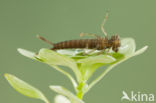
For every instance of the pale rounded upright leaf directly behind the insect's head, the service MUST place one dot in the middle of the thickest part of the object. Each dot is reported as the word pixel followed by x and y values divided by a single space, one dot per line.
pixel 127 47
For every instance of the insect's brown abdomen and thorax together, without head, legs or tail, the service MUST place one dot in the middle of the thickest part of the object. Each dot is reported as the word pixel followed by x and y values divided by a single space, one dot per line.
pixel 100 44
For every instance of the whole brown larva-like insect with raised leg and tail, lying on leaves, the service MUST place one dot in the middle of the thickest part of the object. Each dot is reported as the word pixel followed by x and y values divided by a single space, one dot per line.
pixel 98 43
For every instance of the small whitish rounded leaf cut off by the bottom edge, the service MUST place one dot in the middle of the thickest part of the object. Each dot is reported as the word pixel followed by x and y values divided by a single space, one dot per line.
pixel 61 99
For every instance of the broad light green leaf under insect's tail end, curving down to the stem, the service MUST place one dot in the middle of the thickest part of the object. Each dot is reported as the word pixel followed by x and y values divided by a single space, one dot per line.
pixel 53 58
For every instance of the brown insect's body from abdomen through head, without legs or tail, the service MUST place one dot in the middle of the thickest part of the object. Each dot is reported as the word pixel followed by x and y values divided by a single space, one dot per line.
pixel 99 43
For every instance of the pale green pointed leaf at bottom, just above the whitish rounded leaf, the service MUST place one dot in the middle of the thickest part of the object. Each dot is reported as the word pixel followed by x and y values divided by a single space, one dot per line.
pixel 65 92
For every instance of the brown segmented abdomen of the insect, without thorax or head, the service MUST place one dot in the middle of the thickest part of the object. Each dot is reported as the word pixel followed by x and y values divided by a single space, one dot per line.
pixel 82 43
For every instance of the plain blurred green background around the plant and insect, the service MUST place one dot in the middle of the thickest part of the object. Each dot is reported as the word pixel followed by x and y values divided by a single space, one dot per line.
pixel 58 20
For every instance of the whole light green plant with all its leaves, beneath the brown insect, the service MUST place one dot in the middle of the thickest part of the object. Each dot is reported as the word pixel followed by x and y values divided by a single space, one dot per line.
pixel 83 67
